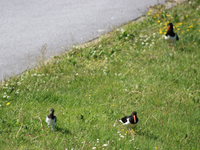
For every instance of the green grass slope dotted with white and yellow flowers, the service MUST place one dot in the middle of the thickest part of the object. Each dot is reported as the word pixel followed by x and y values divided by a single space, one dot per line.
pixel 107 79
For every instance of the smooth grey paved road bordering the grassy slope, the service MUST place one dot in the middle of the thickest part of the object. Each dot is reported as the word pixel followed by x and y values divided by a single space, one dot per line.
pixel 27 25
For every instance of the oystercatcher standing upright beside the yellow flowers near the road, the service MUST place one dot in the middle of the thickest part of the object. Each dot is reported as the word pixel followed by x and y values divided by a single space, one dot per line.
pixel 170 36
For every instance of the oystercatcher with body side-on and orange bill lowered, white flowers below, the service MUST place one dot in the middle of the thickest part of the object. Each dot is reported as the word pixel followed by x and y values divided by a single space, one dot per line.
pixel 129 121
